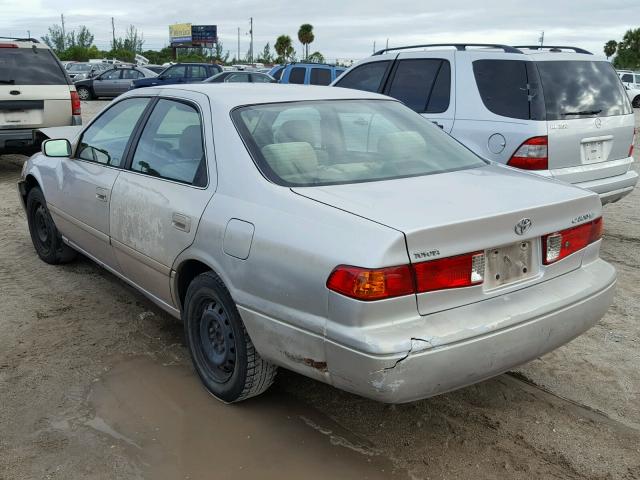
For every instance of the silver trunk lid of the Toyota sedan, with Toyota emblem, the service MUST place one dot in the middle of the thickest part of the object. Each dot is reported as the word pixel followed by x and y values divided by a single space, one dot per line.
pixel 465 211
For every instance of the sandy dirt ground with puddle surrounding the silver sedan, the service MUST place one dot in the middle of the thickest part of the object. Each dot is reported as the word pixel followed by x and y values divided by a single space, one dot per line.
pixel 95 383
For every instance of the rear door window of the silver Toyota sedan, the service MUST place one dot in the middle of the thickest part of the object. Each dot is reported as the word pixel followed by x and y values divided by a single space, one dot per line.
pixel 171 145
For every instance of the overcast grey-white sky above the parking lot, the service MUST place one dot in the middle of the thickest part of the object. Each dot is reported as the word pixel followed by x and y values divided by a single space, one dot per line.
pixel 343 29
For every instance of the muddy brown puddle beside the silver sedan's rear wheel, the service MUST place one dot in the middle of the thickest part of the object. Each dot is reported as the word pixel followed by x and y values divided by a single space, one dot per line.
pixel 176 430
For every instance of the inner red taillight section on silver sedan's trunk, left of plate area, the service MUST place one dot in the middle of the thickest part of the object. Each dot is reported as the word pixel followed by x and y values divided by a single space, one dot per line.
pixel 452 272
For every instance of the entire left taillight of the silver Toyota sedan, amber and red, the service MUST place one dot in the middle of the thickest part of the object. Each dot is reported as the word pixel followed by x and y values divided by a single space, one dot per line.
pixel 376 284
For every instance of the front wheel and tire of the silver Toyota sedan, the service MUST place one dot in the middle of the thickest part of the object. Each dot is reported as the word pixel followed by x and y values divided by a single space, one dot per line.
pixel 45 236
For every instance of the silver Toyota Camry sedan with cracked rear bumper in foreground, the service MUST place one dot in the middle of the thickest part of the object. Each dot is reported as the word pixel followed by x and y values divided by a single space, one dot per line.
pixel 366 248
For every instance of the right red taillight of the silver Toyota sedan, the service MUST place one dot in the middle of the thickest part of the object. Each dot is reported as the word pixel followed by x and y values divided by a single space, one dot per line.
pixel 559 245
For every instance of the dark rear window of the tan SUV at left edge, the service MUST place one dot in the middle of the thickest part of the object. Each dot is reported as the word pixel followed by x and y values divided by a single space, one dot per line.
pixel 30 66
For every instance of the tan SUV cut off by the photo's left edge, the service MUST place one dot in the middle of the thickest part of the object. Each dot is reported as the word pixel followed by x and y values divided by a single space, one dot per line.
pixel 35 92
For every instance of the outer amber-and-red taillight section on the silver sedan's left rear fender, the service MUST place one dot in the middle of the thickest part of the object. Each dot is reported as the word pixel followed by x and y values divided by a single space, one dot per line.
pixel 371 284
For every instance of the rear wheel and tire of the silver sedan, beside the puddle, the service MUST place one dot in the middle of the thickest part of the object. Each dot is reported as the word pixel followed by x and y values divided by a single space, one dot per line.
pixel 221 351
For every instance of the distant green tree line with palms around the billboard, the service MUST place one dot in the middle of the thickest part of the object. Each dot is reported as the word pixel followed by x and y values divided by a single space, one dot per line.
pixel 78 45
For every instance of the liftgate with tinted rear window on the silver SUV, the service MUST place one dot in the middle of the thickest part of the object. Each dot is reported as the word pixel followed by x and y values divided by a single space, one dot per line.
pixel 589 119
